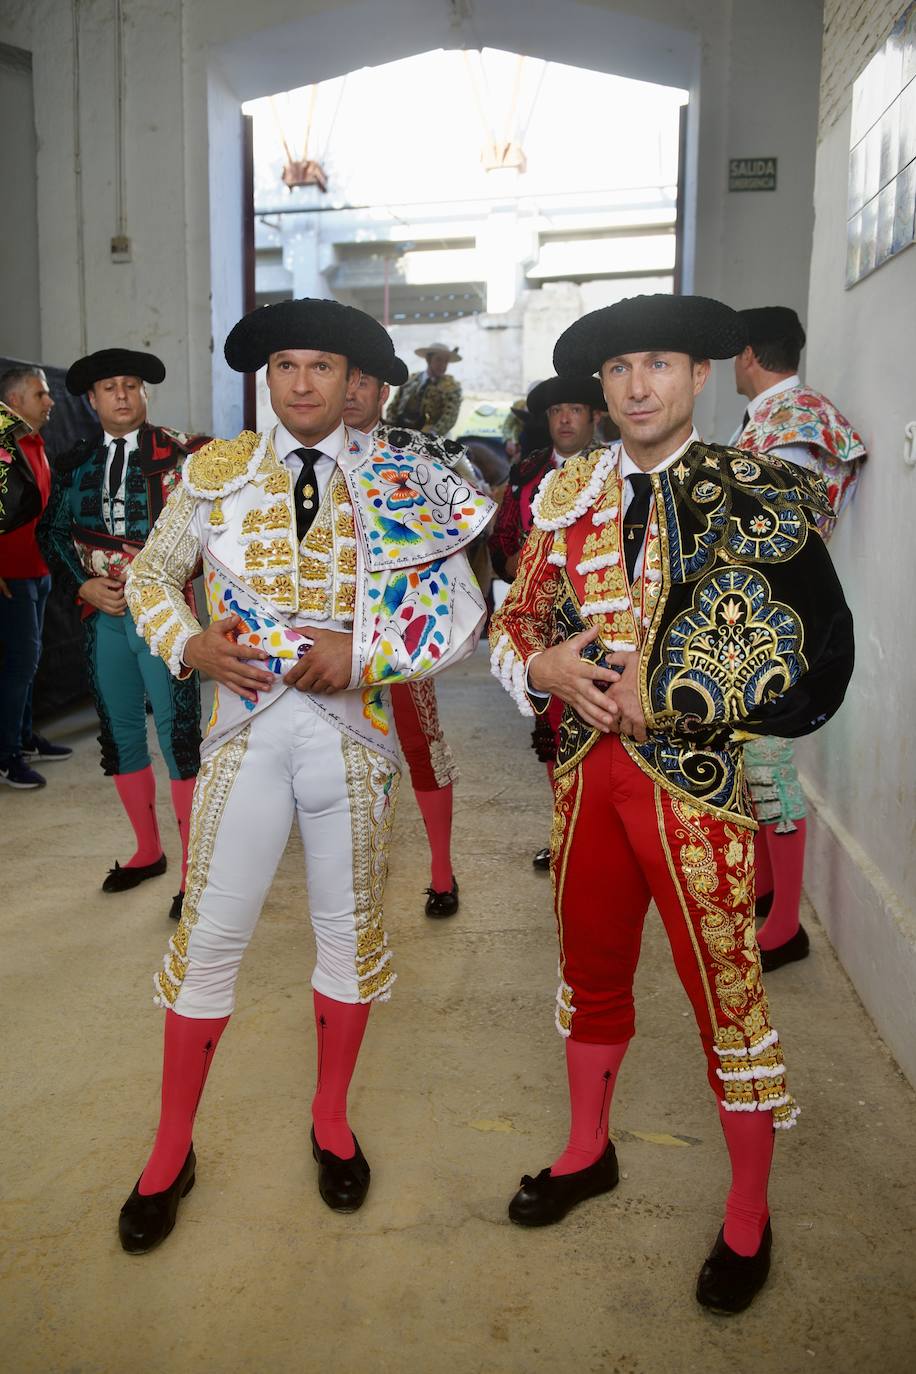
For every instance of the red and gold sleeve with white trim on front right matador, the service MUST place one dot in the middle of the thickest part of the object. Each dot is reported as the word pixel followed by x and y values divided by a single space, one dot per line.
pixel 523 626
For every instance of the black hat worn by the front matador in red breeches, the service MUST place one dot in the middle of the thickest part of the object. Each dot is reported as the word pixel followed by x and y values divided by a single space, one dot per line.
pixel 693 325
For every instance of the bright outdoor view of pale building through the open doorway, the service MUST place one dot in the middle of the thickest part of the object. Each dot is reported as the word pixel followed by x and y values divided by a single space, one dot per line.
pixel 492 204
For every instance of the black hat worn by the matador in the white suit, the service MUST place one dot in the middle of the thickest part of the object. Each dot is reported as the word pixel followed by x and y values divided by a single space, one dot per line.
pixel 310 324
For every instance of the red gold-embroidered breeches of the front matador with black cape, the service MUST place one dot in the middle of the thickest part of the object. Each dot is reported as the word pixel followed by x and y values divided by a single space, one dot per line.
pixel 621 842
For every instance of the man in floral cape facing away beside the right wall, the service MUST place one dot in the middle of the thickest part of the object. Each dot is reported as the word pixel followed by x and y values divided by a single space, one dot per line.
pixel 790 421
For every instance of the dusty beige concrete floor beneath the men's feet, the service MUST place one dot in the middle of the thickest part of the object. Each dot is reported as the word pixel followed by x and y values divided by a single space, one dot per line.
pixel 461 1089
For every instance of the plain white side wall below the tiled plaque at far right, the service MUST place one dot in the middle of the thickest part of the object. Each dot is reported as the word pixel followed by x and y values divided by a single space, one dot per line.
pixel 862 767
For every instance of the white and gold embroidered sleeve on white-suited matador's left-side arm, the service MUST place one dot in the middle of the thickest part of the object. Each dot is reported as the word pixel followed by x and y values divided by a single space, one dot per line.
pixel 159 576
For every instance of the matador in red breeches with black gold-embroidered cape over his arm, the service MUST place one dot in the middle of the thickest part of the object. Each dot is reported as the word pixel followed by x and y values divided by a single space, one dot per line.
pixel 679 598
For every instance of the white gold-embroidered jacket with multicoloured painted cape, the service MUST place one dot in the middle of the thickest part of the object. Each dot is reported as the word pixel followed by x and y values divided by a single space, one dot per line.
pixel 384 559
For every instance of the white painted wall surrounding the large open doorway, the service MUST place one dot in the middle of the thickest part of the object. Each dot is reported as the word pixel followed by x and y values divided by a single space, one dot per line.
pixel 187 64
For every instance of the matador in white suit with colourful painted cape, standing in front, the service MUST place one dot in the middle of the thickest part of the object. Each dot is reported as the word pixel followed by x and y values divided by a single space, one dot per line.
pixel 333 570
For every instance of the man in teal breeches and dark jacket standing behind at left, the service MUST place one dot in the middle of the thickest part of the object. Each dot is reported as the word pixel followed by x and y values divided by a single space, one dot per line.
pixel 108 494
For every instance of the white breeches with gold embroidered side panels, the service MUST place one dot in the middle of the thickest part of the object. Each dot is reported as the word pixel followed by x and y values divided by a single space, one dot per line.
pixel 288 762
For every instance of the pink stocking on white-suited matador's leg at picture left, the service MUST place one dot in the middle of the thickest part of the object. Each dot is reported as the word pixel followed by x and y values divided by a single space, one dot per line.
pixel 186 1061
